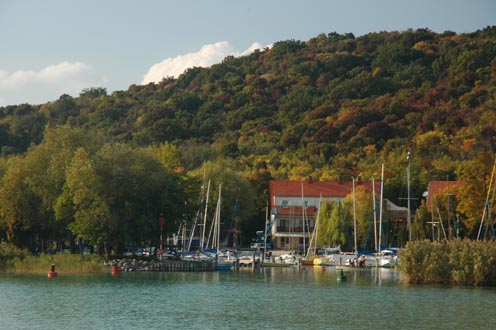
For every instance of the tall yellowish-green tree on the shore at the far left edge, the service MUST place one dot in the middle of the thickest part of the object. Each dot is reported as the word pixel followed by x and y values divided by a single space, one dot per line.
pixel 40 176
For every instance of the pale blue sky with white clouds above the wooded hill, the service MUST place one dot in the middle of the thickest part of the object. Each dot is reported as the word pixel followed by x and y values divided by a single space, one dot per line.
pixel 52 47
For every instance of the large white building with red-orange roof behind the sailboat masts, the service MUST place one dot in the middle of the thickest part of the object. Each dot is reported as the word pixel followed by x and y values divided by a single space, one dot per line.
pixel 294 201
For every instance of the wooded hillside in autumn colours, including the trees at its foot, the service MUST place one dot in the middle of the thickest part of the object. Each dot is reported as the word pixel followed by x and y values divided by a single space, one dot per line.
pixel 335 105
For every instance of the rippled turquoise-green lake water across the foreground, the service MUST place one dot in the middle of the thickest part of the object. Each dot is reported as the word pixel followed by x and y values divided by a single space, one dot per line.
pixel 271 298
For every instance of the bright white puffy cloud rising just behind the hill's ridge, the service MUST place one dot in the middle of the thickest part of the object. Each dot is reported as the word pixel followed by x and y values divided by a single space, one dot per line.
pixel 208 55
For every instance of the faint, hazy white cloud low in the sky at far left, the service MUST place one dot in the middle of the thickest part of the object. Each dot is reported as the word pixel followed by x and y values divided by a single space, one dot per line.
pixel 47 84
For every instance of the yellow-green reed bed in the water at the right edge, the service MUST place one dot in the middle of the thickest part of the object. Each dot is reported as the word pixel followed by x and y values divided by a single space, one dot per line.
pixel 459 262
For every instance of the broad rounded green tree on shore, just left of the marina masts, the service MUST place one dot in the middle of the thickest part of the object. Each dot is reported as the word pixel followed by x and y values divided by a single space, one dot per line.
pixel 122 192
